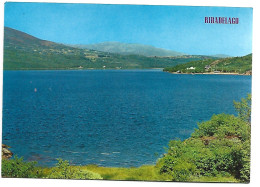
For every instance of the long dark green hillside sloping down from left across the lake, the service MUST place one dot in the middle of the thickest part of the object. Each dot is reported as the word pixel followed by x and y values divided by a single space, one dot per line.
pixel 24 52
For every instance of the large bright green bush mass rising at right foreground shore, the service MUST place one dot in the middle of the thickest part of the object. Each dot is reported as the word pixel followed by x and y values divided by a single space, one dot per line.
pixel 219 147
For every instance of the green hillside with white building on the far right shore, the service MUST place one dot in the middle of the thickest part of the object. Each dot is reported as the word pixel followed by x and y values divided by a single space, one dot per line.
pixel 239 65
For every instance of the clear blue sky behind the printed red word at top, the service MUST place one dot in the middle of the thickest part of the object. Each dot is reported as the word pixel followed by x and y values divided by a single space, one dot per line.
pixel 179 28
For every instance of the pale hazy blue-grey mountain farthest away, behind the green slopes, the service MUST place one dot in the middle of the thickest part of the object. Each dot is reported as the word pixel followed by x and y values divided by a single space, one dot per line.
pixel 127 49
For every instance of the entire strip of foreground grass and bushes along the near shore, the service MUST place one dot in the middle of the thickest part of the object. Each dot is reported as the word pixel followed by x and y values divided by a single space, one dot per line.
pixel 218 151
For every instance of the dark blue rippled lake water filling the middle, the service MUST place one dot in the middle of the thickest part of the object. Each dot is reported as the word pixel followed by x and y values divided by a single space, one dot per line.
pixel 109 117
